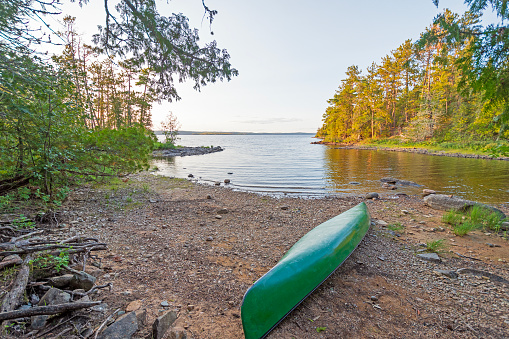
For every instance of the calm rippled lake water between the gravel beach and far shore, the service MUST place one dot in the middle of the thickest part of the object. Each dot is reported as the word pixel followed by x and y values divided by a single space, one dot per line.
pixel 291 165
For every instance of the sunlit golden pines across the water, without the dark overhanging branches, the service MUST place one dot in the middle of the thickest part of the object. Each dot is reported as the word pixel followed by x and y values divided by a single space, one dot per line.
pixel 418 92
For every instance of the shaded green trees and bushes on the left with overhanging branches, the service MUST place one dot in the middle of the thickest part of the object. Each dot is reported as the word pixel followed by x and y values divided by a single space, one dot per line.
pixel 86 113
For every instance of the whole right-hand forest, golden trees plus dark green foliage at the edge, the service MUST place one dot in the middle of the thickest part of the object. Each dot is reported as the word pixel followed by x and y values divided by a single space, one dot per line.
pixel 449 86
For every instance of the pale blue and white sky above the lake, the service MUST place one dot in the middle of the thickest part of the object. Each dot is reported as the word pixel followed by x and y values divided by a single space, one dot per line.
pixel 291 56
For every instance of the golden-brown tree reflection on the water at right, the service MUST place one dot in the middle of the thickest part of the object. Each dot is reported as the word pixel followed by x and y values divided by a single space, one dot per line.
pixel 476 179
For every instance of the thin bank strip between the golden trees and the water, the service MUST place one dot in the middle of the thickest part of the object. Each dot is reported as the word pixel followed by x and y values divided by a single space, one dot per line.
pixel 411 150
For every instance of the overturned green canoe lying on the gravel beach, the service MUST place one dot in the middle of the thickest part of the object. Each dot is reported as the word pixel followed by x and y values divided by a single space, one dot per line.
pixel 301 270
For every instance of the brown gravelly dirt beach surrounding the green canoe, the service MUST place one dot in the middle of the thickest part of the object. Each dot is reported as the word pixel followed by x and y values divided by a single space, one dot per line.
pixel 199 248
